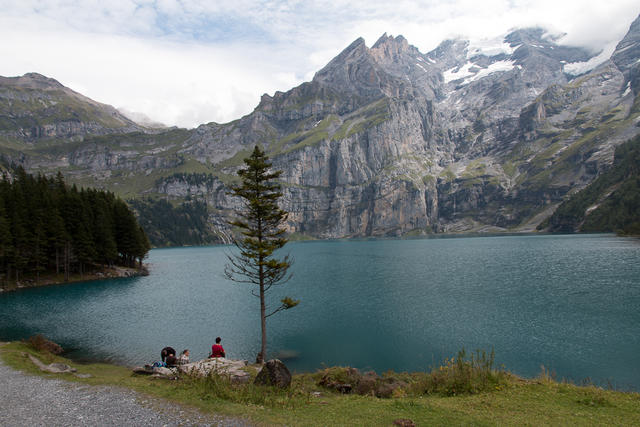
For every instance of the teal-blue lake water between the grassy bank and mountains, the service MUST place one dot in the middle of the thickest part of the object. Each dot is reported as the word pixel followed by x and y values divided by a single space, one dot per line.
pixel 570 303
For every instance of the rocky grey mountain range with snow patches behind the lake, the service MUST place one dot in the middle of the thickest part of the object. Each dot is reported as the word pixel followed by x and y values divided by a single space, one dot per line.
pixel 383 141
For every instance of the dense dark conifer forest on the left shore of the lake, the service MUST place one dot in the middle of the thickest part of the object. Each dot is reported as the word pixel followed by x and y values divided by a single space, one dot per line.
pixel 46 226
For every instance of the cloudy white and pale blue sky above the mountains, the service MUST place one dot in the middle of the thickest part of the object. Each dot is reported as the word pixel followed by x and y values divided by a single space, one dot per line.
pixel 188 62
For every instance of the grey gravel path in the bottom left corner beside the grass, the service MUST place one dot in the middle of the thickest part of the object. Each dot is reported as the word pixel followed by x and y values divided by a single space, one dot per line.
pixel 28 400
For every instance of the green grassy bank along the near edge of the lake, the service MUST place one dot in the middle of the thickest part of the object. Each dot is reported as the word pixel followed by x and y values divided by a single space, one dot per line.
pixel 500 398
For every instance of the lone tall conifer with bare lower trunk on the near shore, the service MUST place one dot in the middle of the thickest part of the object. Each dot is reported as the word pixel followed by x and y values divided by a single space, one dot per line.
pixel 259 223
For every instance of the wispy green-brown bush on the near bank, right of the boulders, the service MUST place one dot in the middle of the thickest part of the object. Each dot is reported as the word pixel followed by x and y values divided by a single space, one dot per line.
pixel 462 375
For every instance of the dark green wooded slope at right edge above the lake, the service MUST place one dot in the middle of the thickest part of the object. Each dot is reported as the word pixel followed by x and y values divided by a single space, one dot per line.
pixel 617 194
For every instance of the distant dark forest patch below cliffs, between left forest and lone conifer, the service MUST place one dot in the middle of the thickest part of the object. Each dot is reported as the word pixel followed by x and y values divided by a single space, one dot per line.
pixel 166 225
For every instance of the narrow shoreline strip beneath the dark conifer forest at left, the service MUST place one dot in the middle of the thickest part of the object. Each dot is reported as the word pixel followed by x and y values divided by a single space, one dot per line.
pixel 107 273
